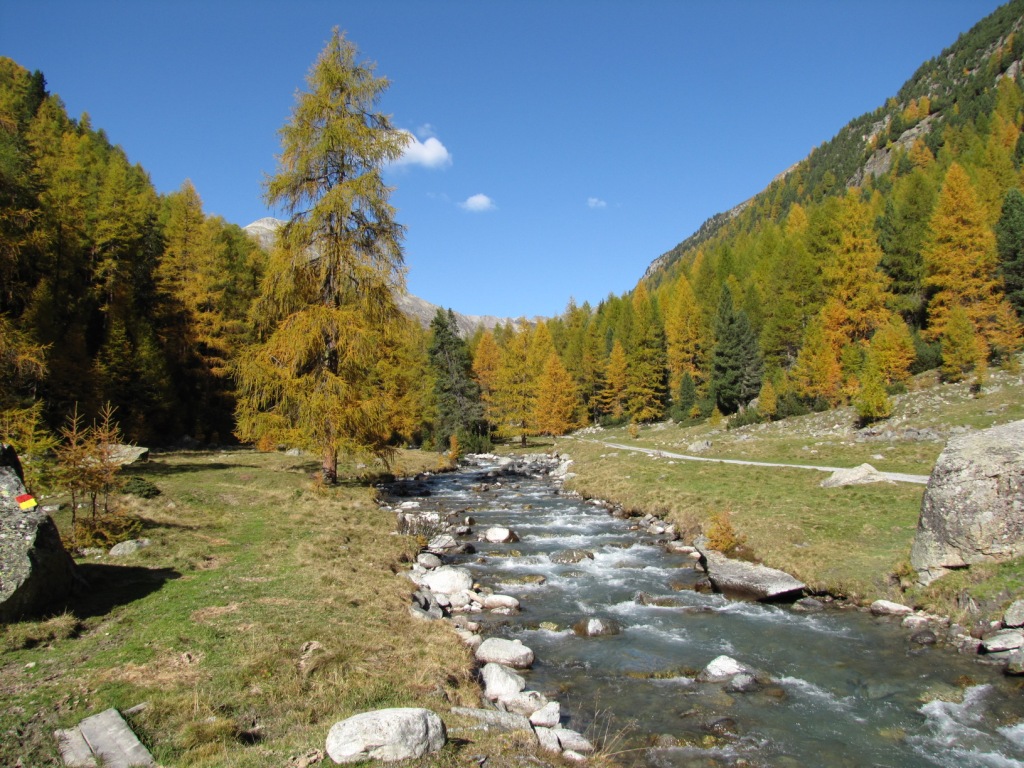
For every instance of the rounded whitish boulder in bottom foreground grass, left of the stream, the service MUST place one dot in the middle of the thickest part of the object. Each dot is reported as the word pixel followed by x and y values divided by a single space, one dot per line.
pixel 390 736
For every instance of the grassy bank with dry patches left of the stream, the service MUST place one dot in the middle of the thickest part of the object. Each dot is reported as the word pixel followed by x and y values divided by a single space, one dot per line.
pixel 266 611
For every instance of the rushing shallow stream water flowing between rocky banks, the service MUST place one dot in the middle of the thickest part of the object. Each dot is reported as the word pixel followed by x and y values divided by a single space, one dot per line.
pixel 847 689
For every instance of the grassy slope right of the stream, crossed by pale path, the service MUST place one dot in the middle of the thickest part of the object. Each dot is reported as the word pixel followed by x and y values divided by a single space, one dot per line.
pixel 854 541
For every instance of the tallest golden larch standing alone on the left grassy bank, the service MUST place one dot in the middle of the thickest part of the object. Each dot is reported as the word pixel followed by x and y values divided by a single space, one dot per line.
pixel 327 306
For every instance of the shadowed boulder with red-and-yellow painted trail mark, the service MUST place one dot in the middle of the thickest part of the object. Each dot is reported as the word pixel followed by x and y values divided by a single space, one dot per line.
pixel 36 572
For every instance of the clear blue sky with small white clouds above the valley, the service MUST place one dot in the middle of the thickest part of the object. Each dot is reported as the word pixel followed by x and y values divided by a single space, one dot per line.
pixel 563 145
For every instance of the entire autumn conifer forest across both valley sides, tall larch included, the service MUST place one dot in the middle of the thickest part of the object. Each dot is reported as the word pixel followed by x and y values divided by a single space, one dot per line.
pixel 897 247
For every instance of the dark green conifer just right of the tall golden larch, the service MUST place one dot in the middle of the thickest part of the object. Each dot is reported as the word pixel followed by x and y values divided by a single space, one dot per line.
pixel 457 396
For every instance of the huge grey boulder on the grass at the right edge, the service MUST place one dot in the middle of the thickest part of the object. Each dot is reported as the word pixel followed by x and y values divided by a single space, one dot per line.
pixel 973 510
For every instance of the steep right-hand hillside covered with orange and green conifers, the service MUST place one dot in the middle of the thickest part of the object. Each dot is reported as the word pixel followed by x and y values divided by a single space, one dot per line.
pixel 894 248
